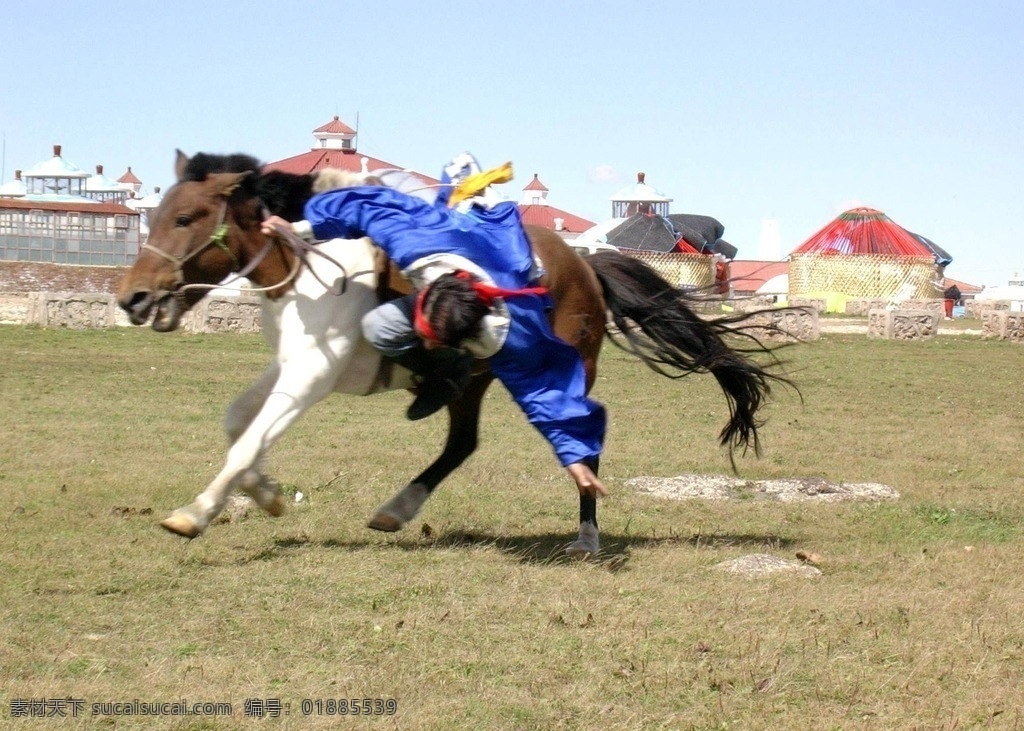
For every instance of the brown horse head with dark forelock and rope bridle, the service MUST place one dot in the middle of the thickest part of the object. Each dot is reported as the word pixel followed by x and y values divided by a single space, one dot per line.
pixel 198 236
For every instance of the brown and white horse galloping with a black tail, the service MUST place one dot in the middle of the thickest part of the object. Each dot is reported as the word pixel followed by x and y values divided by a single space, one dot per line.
pixel 208 228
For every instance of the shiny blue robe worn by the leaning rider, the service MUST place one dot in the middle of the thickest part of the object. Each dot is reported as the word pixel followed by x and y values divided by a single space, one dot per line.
pixel 545 375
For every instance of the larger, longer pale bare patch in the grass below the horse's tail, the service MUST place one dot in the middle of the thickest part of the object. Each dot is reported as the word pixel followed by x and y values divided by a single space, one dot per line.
pixel 787 491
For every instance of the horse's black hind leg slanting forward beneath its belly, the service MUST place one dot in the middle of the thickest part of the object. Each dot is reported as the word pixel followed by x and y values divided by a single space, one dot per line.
pixel 464 424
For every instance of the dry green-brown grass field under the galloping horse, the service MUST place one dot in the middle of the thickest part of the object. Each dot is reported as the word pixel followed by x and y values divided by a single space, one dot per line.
pixel 471 619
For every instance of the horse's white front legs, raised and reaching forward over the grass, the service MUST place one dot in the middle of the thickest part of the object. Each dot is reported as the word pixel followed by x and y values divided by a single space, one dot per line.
pixel 302 383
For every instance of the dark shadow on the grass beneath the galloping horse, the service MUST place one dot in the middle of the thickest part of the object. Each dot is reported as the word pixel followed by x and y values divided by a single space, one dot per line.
pixel 541 549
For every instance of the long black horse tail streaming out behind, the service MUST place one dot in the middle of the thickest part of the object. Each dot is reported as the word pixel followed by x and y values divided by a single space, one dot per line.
pixel 657 322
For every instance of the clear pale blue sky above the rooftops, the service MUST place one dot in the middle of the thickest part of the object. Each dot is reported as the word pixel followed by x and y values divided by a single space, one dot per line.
pixel 743 111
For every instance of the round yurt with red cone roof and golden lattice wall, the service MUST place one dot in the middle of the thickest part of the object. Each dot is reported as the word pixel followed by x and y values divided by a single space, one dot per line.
pixel 864 253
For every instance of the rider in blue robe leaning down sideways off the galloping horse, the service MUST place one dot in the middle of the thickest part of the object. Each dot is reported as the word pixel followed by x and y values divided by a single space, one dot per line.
pixel 476 296
